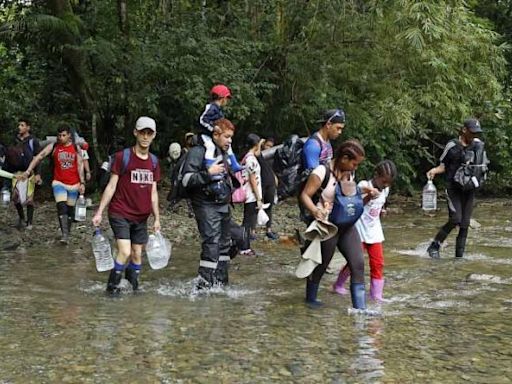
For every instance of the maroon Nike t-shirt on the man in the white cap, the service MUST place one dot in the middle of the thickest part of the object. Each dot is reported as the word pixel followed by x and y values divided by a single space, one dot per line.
pixel 132 198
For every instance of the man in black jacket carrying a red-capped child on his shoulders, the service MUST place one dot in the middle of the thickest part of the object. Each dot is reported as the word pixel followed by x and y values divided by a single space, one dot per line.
pixel 210 196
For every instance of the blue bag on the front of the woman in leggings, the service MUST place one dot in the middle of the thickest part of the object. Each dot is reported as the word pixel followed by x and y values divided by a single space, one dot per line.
pixel 346 209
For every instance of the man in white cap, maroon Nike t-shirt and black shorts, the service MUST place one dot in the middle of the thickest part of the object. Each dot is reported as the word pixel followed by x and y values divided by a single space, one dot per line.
pixel 131 196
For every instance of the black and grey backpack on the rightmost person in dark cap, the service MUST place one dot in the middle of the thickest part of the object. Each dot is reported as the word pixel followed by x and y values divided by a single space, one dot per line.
pixel 473 172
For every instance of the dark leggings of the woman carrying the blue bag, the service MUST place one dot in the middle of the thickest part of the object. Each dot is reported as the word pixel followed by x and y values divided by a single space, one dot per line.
pixel 349 244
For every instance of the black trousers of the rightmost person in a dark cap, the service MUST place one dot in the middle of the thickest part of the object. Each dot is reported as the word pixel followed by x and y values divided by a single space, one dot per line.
pixel 460 209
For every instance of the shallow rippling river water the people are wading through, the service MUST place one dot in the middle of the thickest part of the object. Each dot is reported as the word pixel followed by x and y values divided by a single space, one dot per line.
pixel 446 321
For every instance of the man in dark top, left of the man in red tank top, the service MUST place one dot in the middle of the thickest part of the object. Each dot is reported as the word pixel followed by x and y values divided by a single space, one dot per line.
pixel 18 158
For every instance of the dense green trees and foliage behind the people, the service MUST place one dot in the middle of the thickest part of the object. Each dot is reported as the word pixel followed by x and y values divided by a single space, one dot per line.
pixel 407 72
